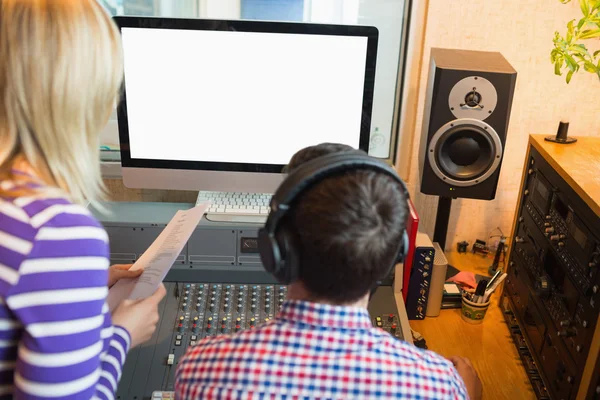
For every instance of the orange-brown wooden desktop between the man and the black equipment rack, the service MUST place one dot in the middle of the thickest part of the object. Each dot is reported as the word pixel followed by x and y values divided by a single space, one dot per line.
pixel 488 346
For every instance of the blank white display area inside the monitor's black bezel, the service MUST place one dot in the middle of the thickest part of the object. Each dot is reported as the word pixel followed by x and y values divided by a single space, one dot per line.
pixel 239 96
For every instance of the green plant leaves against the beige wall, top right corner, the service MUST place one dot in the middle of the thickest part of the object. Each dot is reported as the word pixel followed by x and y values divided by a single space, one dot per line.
pixel 570 52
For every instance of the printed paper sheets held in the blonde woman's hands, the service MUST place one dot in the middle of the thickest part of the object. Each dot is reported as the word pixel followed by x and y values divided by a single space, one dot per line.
pixel 159 258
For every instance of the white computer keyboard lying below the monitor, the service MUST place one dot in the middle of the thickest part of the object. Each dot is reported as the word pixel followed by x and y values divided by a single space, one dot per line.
pixel 236 206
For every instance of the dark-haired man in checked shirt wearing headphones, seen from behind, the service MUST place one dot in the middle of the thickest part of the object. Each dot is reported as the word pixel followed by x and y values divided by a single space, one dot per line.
pixel 336 228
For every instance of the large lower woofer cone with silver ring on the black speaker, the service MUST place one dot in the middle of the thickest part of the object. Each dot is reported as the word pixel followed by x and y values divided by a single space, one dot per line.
pixel 465 152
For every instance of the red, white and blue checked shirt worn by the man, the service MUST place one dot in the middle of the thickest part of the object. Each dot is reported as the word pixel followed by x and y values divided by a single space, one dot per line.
pixel 315 351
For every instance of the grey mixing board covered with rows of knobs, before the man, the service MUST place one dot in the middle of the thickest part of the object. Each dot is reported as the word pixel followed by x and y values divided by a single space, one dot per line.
pixel 192 311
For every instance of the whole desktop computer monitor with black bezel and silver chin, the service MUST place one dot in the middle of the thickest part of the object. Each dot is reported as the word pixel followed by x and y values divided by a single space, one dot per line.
pixel 222 105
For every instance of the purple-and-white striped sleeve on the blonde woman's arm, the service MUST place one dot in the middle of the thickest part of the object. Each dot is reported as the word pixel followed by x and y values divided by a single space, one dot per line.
pixel 68 347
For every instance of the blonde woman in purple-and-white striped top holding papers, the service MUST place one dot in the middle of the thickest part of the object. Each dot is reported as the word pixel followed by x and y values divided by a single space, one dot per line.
pixel 60 72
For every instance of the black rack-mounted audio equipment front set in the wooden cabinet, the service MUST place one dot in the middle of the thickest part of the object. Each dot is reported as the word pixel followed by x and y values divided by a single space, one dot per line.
pixel 551 296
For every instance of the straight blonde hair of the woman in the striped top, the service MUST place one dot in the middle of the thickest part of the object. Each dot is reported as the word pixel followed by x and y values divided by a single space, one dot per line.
pixel 61 69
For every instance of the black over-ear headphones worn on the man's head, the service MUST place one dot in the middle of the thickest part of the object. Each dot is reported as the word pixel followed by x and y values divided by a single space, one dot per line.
pixel 278 251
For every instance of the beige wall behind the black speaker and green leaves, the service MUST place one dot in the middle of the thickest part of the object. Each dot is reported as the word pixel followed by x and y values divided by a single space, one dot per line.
pixel 522 30
